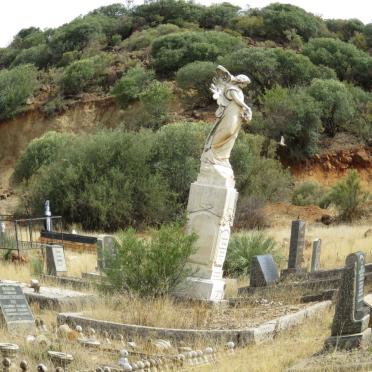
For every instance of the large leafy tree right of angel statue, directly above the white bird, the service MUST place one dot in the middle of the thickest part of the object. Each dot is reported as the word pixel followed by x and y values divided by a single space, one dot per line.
pixel 294 114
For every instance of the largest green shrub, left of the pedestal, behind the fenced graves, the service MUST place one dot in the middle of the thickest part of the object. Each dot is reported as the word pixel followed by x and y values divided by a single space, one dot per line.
pixel 104 181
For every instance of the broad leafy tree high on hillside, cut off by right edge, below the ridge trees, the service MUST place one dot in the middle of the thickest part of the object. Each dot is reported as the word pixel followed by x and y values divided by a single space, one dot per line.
pixel 347 60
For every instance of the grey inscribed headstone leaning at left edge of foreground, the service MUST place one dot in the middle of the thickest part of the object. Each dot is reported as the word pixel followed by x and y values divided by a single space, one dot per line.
pixel 15 310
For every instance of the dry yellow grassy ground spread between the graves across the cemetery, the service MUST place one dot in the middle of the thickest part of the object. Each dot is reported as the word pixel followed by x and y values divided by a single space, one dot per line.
pixel 284 350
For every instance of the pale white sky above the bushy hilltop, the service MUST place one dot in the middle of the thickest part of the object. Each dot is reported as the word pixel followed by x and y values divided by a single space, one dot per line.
pixel 18 14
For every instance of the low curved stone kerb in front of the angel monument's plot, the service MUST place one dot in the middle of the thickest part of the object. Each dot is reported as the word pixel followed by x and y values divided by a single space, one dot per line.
pixel 240 337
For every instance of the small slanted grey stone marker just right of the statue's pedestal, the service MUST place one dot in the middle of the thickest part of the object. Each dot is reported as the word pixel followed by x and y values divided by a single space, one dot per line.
pixel 263 271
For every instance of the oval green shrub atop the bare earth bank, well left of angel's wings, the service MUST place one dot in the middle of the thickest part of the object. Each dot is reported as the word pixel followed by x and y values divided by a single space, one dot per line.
pixel 132 84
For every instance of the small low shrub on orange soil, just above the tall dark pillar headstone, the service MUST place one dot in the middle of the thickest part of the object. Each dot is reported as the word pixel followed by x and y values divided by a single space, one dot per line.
pixel 309 193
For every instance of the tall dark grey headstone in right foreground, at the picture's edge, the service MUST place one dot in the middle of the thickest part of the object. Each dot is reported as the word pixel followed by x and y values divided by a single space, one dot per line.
pixel 350 322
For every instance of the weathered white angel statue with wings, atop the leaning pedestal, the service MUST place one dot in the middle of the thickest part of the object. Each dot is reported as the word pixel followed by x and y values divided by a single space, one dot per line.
pixel 231 112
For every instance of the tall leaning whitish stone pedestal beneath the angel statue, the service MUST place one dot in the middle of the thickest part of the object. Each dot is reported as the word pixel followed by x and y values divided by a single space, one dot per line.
pixel 211 210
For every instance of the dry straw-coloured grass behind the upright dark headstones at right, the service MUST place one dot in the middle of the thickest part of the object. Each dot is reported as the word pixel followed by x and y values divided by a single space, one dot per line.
pixel 337 242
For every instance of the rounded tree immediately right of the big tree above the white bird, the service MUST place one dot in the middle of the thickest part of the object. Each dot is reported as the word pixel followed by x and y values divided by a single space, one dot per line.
pixel 336 103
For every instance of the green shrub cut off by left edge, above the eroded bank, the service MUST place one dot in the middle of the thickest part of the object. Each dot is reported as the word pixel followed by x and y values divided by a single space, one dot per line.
pixel 16 85
